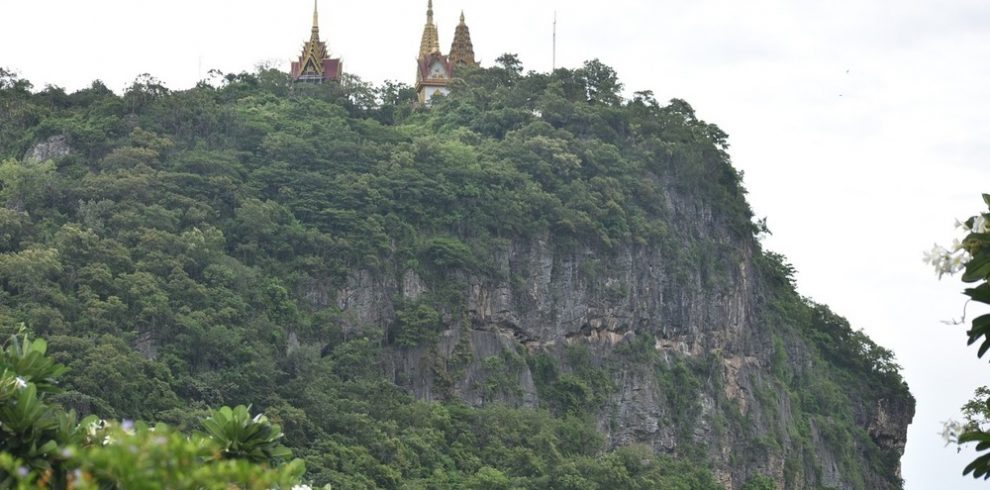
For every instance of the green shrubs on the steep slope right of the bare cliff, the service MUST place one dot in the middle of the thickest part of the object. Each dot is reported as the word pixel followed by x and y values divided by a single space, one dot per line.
pixel 842 373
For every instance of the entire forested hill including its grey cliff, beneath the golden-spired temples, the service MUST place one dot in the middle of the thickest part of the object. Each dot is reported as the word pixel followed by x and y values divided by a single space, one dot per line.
pixel 533 283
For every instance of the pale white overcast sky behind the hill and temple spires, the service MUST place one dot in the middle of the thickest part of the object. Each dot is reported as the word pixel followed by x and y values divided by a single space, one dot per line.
pixel 861 124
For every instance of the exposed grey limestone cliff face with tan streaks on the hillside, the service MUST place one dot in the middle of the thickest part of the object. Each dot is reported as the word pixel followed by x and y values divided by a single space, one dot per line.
pixel 679 336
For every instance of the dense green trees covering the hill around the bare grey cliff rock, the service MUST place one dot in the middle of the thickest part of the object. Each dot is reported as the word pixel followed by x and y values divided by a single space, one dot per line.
pixel 169 258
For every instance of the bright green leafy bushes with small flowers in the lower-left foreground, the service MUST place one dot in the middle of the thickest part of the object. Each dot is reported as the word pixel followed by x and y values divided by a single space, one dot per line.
pixel 43 445
